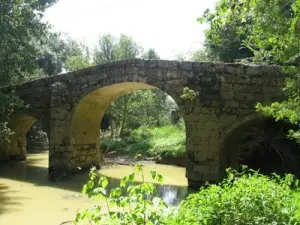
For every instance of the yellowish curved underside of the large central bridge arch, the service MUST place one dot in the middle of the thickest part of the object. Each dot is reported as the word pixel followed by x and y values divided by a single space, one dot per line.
pixel 88 113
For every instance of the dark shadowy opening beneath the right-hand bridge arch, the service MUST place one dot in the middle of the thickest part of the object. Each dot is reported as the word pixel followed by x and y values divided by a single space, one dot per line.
pixel 261 144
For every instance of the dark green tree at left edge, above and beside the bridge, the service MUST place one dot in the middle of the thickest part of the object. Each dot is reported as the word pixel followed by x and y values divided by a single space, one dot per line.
pixel 21 35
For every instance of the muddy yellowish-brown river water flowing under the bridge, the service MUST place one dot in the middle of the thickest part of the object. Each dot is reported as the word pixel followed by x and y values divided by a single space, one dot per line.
pixel 28 197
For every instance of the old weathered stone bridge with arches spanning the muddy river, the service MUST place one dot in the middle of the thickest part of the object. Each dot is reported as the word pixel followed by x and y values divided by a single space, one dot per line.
pixel 71 106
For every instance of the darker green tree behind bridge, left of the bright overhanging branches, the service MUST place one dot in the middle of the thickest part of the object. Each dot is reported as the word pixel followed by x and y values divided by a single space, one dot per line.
pixel 228 30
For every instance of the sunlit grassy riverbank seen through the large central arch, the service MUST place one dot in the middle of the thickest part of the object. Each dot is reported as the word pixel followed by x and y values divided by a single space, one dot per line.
pixel 164 145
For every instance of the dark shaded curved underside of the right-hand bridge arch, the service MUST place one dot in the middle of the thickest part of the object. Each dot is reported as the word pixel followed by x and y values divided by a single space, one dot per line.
pixel 232 139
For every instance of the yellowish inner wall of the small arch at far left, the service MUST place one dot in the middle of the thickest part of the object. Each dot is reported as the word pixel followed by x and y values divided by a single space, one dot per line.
pixel 15 147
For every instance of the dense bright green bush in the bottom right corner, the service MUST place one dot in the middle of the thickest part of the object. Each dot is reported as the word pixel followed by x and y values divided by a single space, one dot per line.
pixel 245 197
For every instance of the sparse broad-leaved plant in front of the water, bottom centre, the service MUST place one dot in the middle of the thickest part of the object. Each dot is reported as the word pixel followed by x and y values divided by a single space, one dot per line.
pixel 127 204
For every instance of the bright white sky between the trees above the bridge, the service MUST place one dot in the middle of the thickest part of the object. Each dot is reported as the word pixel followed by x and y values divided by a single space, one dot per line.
pixel 168 26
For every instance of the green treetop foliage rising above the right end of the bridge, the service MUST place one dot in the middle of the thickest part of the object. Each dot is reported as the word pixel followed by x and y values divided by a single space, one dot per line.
pixel 258 30
